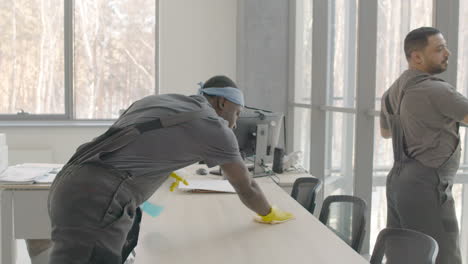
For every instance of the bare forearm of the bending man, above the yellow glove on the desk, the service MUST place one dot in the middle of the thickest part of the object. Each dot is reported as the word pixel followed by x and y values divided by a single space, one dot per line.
pixel 248 190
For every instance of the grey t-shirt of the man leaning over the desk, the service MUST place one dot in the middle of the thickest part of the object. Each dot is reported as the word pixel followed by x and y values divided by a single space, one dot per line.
pixel 155 154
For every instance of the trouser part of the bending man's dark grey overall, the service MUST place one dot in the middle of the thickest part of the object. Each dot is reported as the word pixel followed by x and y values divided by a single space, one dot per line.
pixel 92 211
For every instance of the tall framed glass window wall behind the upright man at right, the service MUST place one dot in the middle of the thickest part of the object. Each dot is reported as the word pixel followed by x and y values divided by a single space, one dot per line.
pixel 335 113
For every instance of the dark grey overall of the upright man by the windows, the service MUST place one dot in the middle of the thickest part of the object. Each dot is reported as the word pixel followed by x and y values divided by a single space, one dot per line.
pixel 420 197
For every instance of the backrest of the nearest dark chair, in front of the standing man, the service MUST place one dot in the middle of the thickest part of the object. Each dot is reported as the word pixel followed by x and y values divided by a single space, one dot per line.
pixel 404 246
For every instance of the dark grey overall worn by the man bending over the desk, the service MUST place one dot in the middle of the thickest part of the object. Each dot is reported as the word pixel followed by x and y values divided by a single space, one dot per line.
pixel 92 205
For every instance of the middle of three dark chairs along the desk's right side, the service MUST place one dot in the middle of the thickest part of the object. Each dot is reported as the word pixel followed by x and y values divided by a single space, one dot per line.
pixel 345 215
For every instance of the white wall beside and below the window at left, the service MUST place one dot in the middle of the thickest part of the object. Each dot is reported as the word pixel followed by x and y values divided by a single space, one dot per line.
pixel 197 40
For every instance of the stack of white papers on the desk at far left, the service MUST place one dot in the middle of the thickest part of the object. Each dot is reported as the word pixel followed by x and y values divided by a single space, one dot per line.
pixel 30 173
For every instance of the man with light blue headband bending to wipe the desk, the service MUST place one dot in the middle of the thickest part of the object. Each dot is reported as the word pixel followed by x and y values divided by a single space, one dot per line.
pixel 93 201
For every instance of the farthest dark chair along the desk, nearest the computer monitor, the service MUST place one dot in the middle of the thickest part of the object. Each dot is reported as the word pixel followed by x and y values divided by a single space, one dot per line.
pixel 304 192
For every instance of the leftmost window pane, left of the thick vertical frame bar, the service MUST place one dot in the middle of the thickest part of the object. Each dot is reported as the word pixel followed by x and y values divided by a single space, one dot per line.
pixel 31 57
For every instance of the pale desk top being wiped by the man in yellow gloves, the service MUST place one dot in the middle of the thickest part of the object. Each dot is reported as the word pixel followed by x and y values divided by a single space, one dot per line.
pixel 218 228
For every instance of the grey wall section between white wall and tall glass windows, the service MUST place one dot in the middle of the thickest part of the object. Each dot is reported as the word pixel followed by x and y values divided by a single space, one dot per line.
pixel 263 44
